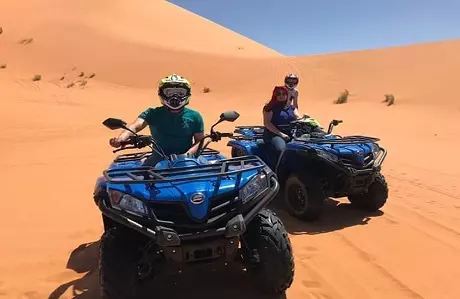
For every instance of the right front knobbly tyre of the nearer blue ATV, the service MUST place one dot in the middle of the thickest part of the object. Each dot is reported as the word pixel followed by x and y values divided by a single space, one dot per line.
pixel 268 253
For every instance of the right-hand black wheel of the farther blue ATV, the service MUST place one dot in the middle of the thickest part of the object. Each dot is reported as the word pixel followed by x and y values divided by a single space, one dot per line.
pixel 375 197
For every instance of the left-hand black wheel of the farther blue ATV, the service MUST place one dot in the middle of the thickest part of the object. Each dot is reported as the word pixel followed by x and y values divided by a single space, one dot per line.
pixel 304 197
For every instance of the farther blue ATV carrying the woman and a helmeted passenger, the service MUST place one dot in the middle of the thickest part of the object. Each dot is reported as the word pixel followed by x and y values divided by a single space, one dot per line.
pixel 318 164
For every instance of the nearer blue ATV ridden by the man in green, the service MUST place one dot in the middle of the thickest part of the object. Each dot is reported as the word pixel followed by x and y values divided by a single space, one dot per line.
pixel 188 210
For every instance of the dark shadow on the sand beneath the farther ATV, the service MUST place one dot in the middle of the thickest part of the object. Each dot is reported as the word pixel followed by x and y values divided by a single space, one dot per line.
pixel 336 216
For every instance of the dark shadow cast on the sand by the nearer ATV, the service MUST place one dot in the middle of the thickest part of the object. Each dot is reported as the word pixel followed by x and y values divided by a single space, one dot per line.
pixel 199 283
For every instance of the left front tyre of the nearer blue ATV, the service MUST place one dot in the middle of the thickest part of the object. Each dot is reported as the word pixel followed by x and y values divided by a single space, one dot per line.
pixel 118 267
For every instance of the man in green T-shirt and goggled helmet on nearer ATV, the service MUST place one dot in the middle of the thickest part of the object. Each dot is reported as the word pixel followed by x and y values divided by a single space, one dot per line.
pixel 173 126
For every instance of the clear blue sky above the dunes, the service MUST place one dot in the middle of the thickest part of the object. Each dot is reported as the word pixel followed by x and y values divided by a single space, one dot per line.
pixel 304 27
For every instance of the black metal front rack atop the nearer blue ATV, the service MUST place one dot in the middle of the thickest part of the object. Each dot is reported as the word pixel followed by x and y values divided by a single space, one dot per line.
pixel 148 174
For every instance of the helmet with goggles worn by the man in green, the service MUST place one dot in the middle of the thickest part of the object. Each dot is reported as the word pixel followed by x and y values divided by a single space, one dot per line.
pixel 174 91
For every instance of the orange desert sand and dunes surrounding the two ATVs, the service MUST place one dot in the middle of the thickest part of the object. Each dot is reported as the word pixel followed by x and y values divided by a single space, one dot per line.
pixel 100 59
